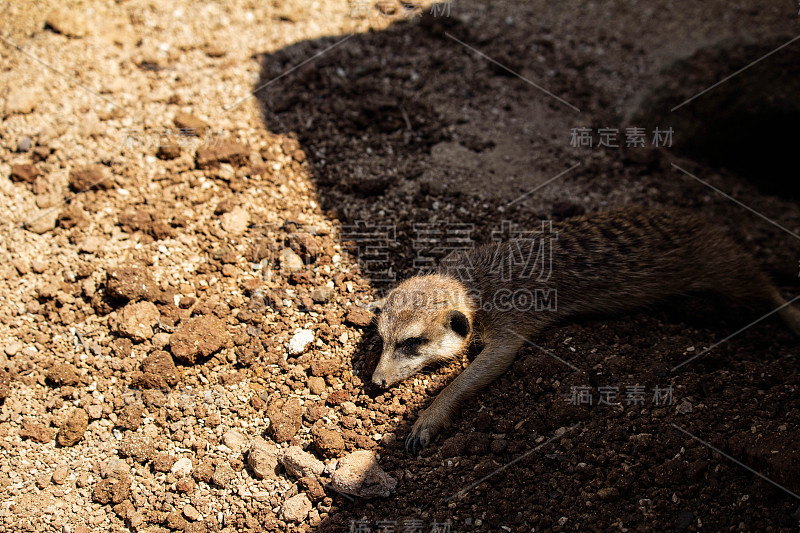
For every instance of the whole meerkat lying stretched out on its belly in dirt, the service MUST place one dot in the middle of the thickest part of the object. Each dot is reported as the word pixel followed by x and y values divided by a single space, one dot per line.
pixel 611 262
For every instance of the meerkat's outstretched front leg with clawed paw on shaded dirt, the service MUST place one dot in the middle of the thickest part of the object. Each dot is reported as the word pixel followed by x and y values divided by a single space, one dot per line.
pixel 495 358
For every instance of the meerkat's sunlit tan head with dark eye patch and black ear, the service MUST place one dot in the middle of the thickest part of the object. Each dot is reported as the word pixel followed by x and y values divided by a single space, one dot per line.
pixel 426 319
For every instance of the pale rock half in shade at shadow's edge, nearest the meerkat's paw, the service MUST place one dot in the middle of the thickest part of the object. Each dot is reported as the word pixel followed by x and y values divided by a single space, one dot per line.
pixel 359 474
